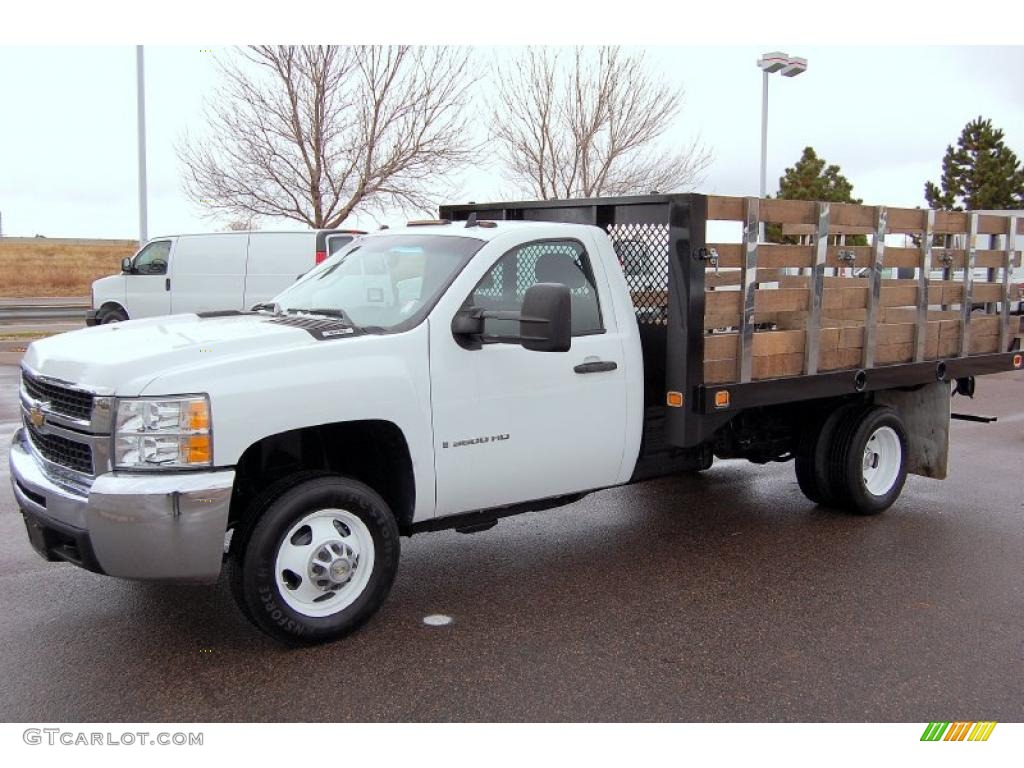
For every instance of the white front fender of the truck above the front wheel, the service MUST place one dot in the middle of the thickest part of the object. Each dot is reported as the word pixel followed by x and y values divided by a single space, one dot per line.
pixel 374 377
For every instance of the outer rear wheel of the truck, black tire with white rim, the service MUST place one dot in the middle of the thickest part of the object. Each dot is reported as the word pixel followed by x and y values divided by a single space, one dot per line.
pixel 868 460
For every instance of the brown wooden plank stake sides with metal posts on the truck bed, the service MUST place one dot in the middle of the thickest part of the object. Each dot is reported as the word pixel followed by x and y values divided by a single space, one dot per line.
pixel 778 311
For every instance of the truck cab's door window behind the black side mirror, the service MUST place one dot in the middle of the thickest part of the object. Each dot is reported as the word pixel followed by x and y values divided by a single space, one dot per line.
pixel 551 262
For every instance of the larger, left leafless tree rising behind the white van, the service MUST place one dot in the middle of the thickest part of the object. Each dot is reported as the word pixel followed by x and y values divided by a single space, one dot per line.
pixel 312 134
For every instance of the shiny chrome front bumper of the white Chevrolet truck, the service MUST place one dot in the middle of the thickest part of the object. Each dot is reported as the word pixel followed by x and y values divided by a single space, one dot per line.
pixel 155 527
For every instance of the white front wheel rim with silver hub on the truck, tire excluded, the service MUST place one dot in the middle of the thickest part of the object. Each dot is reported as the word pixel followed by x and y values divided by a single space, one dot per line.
pixel 324 563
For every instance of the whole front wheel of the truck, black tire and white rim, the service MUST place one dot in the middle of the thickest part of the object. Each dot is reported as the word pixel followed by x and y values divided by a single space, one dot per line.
pixel 317 561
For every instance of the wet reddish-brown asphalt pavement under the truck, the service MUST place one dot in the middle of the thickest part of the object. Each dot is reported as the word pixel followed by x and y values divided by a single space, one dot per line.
pixel 724 596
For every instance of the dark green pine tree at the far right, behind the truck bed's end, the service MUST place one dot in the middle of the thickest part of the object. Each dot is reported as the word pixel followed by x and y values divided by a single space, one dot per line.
pixel 983 174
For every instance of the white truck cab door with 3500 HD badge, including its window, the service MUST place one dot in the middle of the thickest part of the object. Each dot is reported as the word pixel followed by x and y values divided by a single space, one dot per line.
pixel 514 425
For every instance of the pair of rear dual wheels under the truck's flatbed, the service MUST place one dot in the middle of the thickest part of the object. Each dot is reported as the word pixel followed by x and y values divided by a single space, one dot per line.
pixel 854 458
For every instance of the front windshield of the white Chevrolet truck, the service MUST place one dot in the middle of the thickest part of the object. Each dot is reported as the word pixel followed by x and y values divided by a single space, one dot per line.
pixel 381 282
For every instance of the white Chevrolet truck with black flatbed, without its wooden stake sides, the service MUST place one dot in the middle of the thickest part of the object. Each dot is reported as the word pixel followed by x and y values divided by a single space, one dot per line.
pixel 437 376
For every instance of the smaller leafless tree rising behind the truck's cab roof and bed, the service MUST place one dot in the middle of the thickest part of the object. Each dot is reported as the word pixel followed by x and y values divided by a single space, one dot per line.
pixel 590 126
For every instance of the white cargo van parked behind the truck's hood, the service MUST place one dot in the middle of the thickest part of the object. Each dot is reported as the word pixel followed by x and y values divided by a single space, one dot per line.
pixel 210 273
